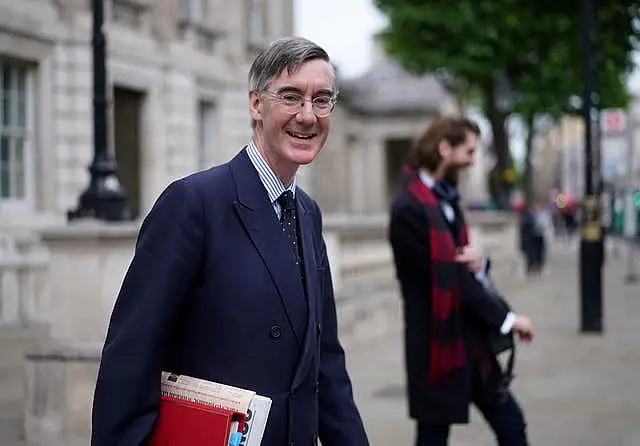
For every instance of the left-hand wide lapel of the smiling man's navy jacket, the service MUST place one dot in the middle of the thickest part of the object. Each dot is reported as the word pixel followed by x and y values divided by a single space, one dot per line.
pixel 261 223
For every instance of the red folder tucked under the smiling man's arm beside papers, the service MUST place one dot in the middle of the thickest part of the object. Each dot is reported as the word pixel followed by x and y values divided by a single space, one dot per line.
pixel 187 423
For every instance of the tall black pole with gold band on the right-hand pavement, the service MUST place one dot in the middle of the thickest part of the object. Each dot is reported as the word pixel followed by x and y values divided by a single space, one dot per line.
pixel 591 247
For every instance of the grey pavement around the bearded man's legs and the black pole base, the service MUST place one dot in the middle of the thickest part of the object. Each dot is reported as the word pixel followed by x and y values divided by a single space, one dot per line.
pixel 576 389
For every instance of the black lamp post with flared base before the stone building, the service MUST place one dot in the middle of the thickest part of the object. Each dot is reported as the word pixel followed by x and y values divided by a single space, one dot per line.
pixel 104 198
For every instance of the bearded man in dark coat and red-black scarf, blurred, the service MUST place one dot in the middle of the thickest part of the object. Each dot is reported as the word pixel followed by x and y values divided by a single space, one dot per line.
pixel 448 315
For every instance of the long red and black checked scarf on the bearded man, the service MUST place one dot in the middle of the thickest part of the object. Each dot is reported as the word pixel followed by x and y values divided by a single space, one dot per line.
pixel 446 350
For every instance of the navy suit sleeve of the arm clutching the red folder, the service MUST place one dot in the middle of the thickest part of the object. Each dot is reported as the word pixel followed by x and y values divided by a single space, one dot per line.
pixel 165 265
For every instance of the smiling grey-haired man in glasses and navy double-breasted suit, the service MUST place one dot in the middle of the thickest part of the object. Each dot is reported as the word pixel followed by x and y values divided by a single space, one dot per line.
pixel 230 280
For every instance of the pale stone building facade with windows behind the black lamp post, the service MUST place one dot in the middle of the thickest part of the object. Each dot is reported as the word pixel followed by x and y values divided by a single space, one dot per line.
pixel 179 103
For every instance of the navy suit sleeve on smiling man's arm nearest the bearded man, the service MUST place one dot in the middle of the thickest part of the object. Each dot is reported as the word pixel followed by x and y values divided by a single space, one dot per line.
pixel 339 420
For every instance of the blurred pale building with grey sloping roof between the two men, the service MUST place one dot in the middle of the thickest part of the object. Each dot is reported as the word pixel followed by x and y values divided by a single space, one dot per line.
pixel 378 117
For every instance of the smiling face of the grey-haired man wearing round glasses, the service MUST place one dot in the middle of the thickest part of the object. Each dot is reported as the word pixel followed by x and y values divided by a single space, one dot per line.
pixel 289 134
